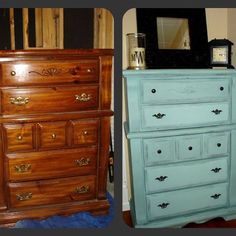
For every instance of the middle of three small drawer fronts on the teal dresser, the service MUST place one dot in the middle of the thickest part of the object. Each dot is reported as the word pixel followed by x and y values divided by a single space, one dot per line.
pixel 189 147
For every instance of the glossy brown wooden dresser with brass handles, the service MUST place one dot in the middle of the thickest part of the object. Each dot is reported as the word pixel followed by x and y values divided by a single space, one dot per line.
pixel 55 122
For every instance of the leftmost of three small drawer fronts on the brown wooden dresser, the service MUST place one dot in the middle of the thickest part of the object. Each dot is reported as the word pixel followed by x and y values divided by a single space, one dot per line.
pixel 19 137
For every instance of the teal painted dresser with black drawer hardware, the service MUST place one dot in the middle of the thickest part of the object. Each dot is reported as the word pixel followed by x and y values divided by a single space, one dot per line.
pixel 181 130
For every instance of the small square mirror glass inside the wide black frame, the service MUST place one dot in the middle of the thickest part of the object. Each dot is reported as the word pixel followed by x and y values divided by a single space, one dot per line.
pixel 173 33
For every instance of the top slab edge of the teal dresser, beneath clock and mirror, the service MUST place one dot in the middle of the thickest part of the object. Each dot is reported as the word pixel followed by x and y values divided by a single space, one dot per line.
pixel 177 72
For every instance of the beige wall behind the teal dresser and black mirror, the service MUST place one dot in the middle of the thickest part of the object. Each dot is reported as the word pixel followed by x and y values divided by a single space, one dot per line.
pixel 220 24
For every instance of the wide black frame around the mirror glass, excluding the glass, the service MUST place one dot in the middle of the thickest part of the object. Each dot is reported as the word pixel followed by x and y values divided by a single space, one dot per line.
pixel 196 57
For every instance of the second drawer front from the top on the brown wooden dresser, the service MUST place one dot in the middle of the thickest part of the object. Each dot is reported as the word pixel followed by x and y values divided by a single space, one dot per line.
pixel 57 99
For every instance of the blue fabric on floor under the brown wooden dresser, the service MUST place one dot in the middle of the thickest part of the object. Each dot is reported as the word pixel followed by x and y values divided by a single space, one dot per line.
pixel 79 220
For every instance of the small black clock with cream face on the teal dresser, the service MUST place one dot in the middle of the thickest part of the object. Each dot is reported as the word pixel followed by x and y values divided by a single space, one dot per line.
pixel 220 53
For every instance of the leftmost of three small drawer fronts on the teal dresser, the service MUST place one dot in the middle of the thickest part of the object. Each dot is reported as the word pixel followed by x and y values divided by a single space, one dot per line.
pixel 158 150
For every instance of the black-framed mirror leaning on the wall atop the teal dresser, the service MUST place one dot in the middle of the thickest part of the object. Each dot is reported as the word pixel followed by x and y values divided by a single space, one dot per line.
pixel 175 38
